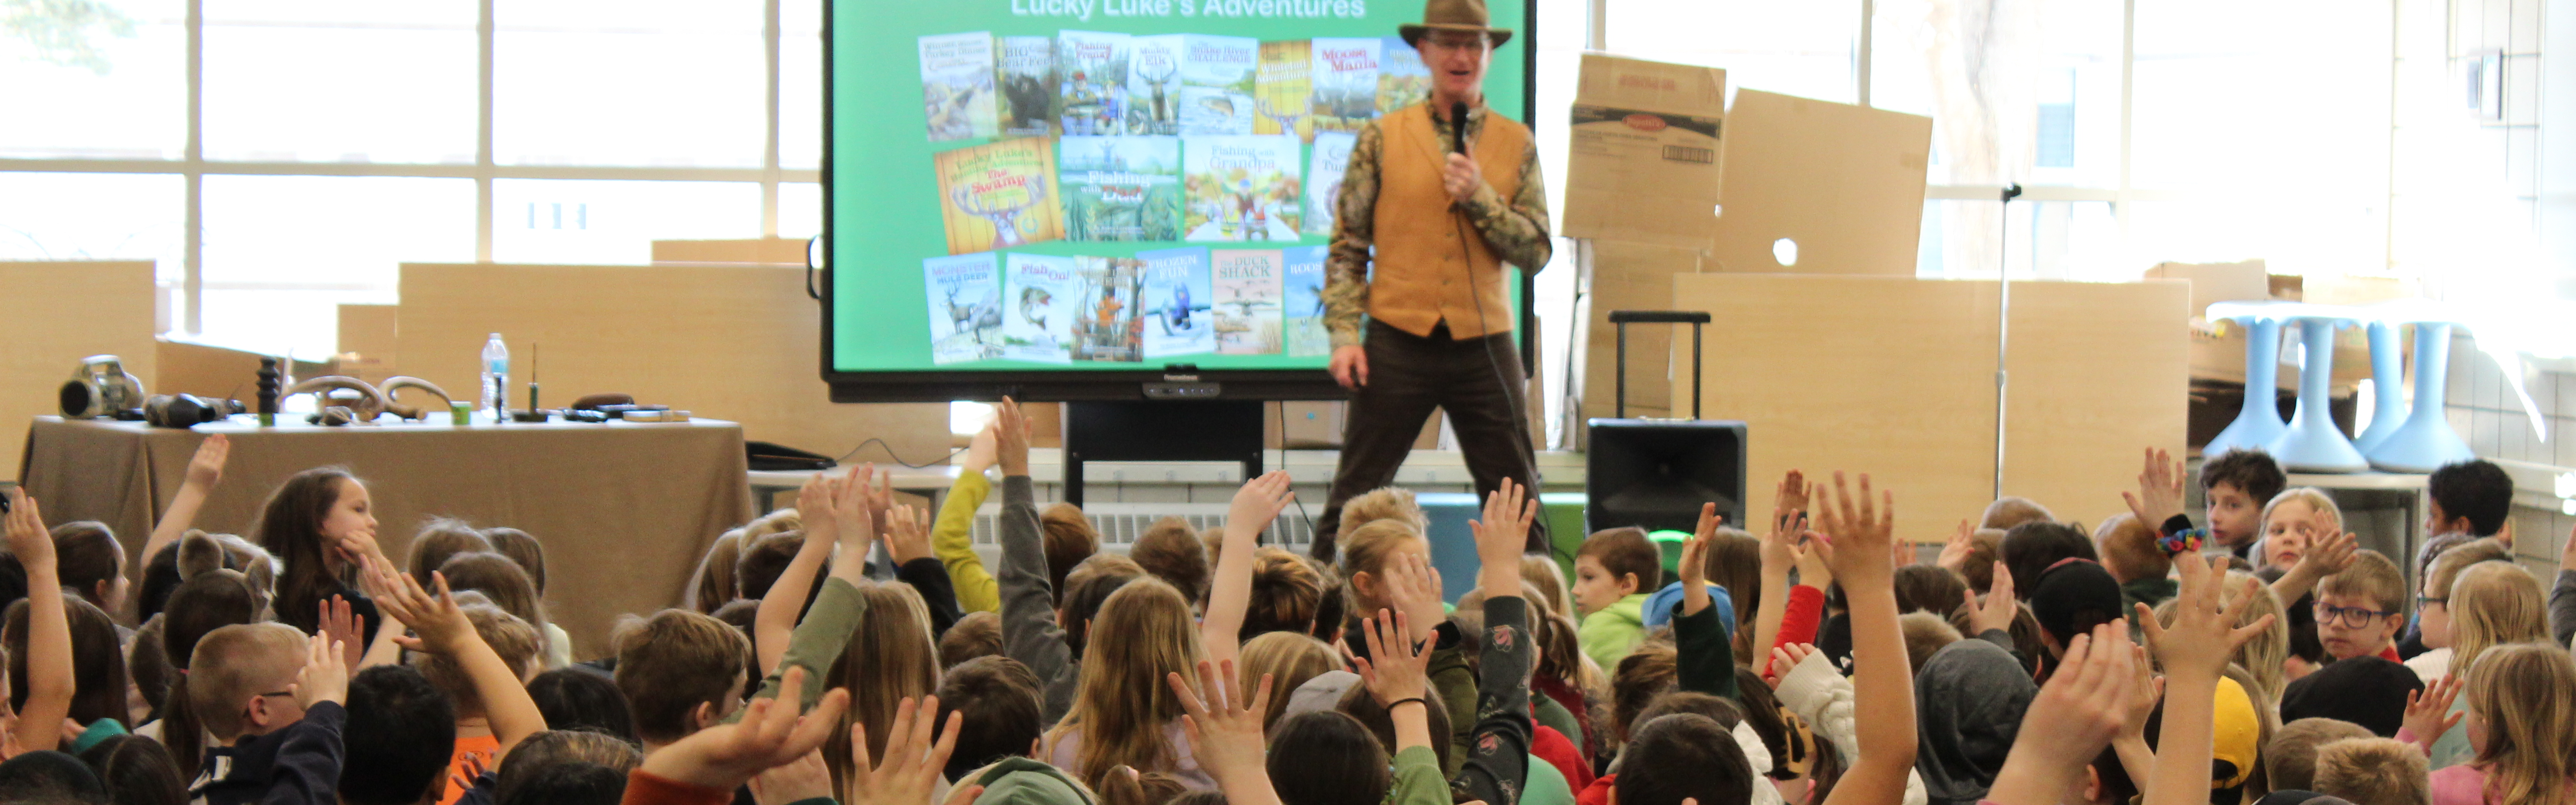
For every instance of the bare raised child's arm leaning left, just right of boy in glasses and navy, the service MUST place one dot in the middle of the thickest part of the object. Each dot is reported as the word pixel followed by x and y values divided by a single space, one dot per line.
pixel 447 631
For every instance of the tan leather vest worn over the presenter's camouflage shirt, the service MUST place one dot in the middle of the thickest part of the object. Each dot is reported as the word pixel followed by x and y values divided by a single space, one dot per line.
pixel 1423 272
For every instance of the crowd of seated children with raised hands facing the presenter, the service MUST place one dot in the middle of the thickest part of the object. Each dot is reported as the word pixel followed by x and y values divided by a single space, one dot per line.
pixel 862 651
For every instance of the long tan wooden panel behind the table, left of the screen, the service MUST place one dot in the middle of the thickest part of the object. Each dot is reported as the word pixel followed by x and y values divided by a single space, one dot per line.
pixel 723 342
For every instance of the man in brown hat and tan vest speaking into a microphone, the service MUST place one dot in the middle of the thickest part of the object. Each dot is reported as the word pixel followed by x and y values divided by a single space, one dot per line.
pixel 1421 239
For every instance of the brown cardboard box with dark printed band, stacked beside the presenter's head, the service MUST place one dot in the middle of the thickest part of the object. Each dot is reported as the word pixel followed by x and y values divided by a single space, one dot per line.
pixel 1647 154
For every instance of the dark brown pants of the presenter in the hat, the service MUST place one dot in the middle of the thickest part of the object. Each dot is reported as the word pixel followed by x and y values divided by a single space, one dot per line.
pixel 1475 381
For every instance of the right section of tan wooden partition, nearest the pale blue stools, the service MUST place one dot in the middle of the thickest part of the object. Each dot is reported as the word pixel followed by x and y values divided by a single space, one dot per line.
pixel 2098 375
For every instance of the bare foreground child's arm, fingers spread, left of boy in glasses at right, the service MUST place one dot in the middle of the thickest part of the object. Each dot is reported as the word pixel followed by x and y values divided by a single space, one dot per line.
pixel 2193 651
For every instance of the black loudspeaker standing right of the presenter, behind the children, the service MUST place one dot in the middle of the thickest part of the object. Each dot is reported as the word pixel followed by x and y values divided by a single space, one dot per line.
pixel 1658 473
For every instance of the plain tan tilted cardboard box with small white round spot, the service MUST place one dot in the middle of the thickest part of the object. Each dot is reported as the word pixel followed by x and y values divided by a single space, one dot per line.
pixel 1841 182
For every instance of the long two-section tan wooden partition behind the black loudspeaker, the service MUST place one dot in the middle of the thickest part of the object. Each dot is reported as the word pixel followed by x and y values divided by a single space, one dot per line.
pixel 1897 378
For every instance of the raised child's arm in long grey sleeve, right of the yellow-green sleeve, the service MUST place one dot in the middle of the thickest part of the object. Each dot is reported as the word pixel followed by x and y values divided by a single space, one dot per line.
pixel 1029 600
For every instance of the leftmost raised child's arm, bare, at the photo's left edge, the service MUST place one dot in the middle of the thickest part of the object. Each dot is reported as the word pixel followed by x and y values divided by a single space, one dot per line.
pixel 48 631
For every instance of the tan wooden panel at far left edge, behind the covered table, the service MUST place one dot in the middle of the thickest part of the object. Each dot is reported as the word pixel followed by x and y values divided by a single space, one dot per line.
pixel 58 313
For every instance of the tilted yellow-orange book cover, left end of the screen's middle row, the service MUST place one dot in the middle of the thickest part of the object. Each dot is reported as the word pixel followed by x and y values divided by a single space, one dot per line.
pixel 1001 195
